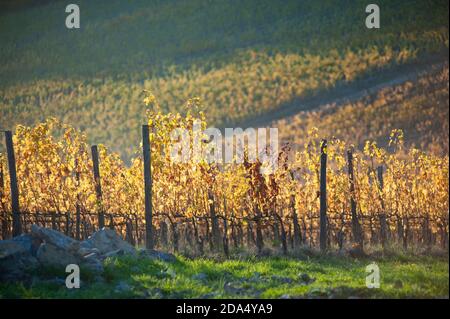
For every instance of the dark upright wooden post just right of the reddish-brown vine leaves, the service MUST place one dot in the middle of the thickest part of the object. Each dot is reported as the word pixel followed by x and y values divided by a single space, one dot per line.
pixel 323 197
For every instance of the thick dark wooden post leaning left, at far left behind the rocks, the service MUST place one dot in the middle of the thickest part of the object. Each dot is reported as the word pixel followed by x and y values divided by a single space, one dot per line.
pixel 17 224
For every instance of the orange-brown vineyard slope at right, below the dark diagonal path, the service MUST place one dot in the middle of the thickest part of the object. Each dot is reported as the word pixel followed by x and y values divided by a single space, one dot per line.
pixel 419 107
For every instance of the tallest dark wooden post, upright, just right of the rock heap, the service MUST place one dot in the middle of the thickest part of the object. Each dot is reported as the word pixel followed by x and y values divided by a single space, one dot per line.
pixel 147 187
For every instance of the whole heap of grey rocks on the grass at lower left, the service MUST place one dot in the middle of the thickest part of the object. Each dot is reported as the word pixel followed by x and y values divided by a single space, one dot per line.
pixel 47 247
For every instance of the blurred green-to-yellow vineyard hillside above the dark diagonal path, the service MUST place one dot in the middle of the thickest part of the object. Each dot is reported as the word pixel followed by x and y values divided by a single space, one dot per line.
pixel 242 58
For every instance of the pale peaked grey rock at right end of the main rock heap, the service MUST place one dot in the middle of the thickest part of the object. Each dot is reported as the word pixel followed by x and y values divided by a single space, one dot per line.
pixel 106 240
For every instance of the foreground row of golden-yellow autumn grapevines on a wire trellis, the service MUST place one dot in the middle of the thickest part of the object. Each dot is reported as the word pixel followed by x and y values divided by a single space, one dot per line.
pixel 329 196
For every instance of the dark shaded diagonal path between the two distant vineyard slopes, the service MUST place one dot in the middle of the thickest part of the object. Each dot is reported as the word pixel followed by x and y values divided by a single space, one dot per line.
pixel 346 93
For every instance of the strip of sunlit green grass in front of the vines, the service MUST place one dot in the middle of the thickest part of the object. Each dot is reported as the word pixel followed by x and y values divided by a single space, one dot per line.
pixel 271 277
